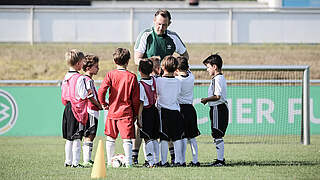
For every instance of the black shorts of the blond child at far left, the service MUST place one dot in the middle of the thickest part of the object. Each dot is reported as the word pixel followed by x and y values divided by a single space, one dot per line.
pixel 71 128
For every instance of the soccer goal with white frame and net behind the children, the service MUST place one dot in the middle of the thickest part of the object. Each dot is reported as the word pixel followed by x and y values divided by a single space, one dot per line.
pixel 249 80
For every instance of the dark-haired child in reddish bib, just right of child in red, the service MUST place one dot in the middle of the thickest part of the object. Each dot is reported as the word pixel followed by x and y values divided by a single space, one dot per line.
pixel 148 113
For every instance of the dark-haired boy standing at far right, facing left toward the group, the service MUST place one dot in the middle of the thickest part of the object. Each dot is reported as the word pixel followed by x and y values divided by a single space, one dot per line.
pixel 217 100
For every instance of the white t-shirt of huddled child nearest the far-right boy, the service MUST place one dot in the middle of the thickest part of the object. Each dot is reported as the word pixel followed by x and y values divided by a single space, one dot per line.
pixel 186 94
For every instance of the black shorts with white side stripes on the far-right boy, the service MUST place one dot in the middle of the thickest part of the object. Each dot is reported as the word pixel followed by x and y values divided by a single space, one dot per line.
pixel 219 116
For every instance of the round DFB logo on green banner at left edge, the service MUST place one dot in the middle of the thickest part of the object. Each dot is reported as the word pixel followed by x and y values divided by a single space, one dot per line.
pixel 8 111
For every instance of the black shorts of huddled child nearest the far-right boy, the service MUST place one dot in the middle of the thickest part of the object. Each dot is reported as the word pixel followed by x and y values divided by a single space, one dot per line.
pixel 189 115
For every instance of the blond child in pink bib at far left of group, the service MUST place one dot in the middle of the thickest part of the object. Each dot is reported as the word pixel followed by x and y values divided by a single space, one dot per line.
pixel 74 96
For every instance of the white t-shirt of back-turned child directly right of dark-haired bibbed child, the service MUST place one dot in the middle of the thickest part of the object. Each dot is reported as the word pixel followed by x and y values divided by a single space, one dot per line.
pixel 168 90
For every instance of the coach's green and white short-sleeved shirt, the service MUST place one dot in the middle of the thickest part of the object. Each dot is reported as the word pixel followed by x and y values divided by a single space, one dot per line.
pixel 151 44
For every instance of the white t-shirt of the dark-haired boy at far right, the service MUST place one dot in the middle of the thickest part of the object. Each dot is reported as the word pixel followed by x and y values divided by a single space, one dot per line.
pixel 218 87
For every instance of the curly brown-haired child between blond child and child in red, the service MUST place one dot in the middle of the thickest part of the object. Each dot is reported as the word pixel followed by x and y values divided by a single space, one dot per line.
pixel 91 68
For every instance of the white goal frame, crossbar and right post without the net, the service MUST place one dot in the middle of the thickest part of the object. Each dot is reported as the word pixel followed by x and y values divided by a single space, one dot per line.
pixel 305 126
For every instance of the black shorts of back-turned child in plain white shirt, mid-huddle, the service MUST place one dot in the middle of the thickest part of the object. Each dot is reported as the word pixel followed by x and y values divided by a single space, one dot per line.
pixel 171 125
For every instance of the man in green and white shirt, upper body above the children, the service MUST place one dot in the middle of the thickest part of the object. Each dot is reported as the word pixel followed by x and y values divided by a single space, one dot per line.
pixel 158 41
